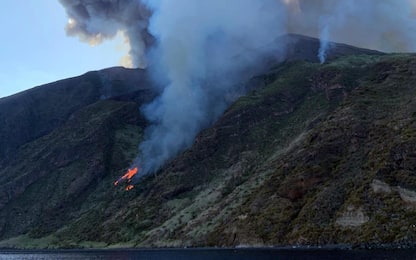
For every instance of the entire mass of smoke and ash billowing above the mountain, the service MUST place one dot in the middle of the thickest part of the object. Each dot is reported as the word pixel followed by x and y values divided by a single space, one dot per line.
pixel 199 49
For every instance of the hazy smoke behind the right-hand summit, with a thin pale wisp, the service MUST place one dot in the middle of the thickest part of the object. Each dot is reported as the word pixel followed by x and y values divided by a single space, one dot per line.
pixel 387 25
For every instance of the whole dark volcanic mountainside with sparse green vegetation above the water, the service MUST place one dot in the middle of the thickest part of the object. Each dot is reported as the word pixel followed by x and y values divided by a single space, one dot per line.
pixel 315 154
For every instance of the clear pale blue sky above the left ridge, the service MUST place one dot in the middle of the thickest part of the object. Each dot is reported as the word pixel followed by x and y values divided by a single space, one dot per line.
pixel 35 49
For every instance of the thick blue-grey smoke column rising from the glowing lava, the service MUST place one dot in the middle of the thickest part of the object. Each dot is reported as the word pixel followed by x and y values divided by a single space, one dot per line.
pixel 202 45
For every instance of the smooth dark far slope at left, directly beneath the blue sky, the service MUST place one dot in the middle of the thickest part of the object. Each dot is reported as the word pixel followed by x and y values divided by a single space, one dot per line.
pixel 31 114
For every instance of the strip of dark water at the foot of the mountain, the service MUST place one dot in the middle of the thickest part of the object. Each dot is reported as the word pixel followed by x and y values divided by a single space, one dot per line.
pixel 208 254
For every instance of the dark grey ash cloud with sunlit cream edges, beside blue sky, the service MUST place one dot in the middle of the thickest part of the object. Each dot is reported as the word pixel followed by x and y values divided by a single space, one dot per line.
pixel 96 20
